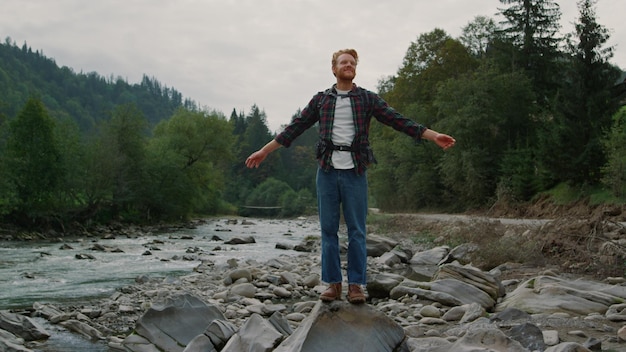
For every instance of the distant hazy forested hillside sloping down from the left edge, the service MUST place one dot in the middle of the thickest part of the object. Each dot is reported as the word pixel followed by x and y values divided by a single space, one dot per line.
pixel 84 97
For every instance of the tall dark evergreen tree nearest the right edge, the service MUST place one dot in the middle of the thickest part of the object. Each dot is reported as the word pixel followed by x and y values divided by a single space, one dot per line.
pixel 586 104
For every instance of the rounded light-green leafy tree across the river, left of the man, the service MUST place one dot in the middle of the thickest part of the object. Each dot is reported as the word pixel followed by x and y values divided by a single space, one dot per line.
pixel 187 160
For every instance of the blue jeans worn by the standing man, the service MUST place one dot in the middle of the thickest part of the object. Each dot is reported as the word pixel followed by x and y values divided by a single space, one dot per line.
pixel 345 190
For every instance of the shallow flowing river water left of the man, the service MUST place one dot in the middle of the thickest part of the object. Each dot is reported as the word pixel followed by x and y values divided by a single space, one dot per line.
pixel 45 272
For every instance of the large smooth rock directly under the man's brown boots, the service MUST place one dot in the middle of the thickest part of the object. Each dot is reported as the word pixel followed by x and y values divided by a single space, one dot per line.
pixel 340 326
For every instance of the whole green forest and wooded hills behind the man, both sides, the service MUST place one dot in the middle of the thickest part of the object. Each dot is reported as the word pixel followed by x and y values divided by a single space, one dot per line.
pixel 534 113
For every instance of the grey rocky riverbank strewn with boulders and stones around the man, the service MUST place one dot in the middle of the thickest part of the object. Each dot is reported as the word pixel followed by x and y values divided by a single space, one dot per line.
pixel 422 298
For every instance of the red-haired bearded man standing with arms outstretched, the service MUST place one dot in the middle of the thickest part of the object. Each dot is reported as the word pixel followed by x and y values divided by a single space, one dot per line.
pixel 344 113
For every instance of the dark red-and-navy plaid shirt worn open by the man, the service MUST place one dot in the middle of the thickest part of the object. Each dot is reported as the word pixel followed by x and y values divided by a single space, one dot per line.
pixel 365 104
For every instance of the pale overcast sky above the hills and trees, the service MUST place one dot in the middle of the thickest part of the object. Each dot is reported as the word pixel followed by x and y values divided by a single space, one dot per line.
pixel 231 54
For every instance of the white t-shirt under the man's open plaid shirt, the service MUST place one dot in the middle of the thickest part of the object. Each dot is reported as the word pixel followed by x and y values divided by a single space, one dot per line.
pixel 343 131
